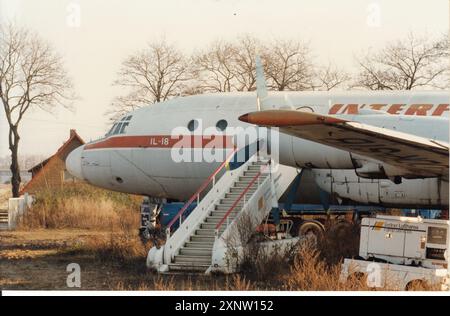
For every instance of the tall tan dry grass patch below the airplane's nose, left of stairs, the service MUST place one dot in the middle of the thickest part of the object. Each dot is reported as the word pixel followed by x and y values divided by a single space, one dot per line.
pixel 81 206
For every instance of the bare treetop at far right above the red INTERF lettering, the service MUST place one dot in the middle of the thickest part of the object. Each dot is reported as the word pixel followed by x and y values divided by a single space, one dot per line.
pixel 415 62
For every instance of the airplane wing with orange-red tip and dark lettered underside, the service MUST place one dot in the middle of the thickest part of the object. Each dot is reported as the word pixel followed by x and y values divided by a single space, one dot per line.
pixel 420 156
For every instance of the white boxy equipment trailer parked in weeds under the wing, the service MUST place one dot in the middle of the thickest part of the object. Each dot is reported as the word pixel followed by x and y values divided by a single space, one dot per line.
pixel 398 252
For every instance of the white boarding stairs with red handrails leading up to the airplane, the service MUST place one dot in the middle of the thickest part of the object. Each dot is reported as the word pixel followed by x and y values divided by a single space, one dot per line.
pixel 199 244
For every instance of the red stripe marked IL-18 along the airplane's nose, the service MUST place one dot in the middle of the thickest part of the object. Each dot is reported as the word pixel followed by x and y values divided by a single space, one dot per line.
pixel 163 141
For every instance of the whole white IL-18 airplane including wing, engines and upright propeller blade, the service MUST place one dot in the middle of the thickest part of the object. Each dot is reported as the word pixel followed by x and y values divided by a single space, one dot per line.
pixel 387 148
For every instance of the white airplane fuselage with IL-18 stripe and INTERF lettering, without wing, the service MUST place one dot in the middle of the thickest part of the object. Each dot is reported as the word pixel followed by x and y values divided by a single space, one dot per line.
pixel 139 158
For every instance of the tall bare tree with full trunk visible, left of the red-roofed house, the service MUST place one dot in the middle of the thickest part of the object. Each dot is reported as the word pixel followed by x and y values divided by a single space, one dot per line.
pixel 31 76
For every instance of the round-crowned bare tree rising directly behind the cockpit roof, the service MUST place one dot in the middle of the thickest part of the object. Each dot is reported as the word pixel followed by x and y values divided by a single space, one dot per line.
pixel 154 74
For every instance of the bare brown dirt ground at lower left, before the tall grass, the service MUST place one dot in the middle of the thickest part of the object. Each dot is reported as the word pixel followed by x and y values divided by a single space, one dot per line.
pixel 37 260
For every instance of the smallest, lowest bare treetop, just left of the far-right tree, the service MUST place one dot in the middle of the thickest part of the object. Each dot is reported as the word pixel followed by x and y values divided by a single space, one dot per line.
pixel 330 77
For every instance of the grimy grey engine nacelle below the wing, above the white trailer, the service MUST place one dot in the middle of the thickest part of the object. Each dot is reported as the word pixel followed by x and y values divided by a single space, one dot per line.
pixel 411 193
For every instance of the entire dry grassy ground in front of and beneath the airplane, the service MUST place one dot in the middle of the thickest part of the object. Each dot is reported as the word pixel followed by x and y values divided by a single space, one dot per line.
pixel 98 229
